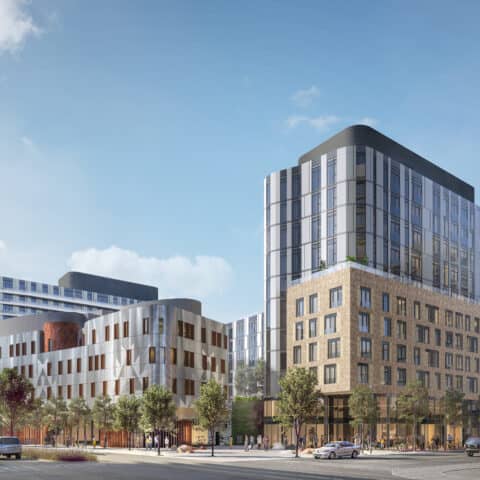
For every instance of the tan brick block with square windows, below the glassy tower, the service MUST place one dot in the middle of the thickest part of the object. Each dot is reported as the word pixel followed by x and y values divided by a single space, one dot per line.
pixel 353 324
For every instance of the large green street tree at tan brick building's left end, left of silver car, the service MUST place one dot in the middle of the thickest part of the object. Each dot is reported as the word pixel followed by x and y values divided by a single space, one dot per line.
pixel 298 401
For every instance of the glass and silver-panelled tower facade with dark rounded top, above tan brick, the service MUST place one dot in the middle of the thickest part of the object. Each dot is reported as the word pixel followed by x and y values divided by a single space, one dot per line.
pixel 361 196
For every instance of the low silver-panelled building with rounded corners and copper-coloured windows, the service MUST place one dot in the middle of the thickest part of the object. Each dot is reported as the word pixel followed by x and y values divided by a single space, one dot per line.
pixel 165 342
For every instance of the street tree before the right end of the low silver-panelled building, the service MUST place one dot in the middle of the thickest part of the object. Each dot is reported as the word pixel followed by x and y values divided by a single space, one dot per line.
pixel 211 408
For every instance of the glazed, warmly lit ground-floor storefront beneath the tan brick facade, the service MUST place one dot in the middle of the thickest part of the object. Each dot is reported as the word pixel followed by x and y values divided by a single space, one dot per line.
pixel 334 424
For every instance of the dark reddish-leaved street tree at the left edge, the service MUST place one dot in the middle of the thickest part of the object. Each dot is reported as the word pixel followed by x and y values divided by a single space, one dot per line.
pixel 16 397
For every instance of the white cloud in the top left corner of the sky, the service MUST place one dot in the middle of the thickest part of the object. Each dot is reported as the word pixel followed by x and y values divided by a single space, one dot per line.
pixel 15 25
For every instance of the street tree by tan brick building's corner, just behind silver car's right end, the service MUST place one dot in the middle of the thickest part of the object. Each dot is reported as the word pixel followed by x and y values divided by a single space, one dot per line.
pixel 362 406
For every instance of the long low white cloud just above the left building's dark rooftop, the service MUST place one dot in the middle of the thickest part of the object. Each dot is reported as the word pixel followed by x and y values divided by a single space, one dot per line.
pixel 174 276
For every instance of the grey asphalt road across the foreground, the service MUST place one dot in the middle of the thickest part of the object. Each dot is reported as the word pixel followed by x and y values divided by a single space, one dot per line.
pixel 123 467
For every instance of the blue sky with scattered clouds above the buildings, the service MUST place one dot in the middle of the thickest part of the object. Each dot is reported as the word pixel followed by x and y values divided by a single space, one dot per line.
pixel 135 135
